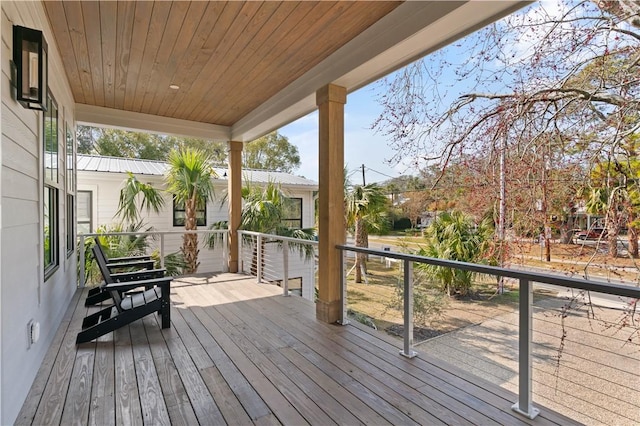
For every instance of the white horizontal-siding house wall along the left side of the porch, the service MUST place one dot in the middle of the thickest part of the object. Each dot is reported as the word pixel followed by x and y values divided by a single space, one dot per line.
pixel 25 294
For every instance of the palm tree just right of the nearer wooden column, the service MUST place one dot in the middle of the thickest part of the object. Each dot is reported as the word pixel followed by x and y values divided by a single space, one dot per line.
pixel 365 212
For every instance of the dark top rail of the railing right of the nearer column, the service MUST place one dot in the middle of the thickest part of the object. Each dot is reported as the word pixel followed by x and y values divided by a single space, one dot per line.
pixel 575 283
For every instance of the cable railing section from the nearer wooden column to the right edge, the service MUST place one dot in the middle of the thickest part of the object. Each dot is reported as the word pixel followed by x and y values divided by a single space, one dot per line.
pixel 562 323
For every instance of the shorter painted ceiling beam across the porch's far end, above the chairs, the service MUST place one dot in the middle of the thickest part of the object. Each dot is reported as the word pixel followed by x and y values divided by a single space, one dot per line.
pixel 113 118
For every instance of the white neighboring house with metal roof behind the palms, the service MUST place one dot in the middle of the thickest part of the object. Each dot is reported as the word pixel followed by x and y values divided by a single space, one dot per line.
pixel 101 178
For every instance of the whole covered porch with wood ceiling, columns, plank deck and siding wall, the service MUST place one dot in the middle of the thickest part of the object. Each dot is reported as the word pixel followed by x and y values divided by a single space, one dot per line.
pixel 227 71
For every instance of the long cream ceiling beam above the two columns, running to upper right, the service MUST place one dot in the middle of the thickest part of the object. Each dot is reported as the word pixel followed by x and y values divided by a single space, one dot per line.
pixel 409 32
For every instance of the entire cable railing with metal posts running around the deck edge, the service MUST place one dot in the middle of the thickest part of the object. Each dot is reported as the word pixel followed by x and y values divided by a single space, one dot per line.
pixel 540 346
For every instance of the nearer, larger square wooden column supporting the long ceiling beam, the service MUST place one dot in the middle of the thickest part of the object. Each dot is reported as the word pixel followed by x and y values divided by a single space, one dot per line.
pixel 331 227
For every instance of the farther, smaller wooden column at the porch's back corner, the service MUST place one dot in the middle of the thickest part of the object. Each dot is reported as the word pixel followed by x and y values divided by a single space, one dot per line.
pixel 235 201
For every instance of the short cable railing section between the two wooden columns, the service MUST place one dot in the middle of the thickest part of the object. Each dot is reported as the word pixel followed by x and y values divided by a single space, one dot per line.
pixel 284 261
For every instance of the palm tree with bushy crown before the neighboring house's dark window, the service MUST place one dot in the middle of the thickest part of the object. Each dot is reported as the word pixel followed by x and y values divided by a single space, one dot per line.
pixel 189 180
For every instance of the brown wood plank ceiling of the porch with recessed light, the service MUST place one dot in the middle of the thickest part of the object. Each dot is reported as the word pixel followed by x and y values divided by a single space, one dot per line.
pixel 226 57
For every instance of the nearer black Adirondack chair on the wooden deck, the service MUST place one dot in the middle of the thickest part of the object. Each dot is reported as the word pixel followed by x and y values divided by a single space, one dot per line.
pixel 127 307
